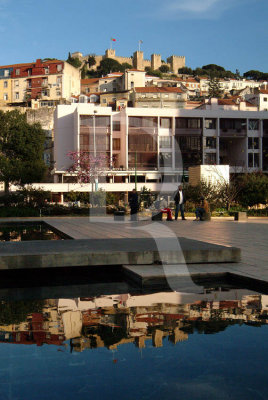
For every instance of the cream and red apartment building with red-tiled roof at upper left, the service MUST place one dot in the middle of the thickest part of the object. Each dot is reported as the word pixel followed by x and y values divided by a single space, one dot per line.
pixel 41 83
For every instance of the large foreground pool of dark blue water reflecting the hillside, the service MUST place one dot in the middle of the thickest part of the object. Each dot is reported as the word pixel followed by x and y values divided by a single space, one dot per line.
pixel 165 345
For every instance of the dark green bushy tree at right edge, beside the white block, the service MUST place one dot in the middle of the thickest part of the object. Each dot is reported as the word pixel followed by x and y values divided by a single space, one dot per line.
pixel 254 189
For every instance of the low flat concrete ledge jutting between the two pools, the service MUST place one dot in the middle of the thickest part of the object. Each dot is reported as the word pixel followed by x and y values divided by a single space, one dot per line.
pixel 87 252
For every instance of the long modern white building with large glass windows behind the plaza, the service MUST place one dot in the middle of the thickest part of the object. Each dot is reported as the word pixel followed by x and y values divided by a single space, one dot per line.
pixel 160 143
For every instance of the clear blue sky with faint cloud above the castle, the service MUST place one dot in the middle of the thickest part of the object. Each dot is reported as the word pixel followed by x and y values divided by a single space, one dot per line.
pixel 230 33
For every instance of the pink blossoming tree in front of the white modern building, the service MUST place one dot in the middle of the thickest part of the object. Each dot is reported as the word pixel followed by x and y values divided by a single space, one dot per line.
pixel 88 167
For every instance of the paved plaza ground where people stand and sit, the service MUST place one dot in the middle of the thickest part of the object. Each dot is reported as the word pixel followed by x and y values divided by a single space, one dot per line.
pixel 251 237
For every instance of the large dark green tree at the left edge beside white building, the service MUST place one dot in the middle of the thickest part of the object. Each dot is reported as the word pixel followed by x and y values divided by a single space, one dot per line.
pixel 21 150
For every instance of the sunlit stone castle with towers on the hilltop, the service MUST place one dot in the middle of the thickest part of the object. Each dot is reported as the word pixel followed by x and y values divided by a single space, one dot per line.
pixel 137 61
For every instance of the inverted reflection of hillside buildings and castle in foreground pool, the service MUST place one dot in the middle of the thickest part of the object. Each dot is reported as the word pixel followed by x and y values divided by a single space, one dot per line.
pixel 114 320
